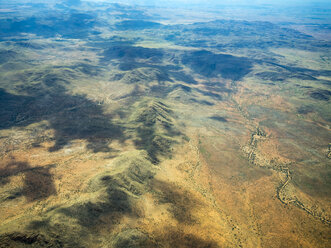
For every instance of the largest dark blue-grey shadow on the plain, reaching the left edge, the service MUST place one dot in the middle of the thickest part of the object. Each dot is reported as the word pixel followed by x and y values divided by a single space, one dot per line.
pixel 71 116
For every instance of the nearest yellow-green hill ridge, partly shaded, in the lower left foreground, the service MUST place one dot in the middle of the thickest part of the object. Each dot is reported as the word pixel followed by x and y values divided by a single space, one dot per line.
pixel 108 197
